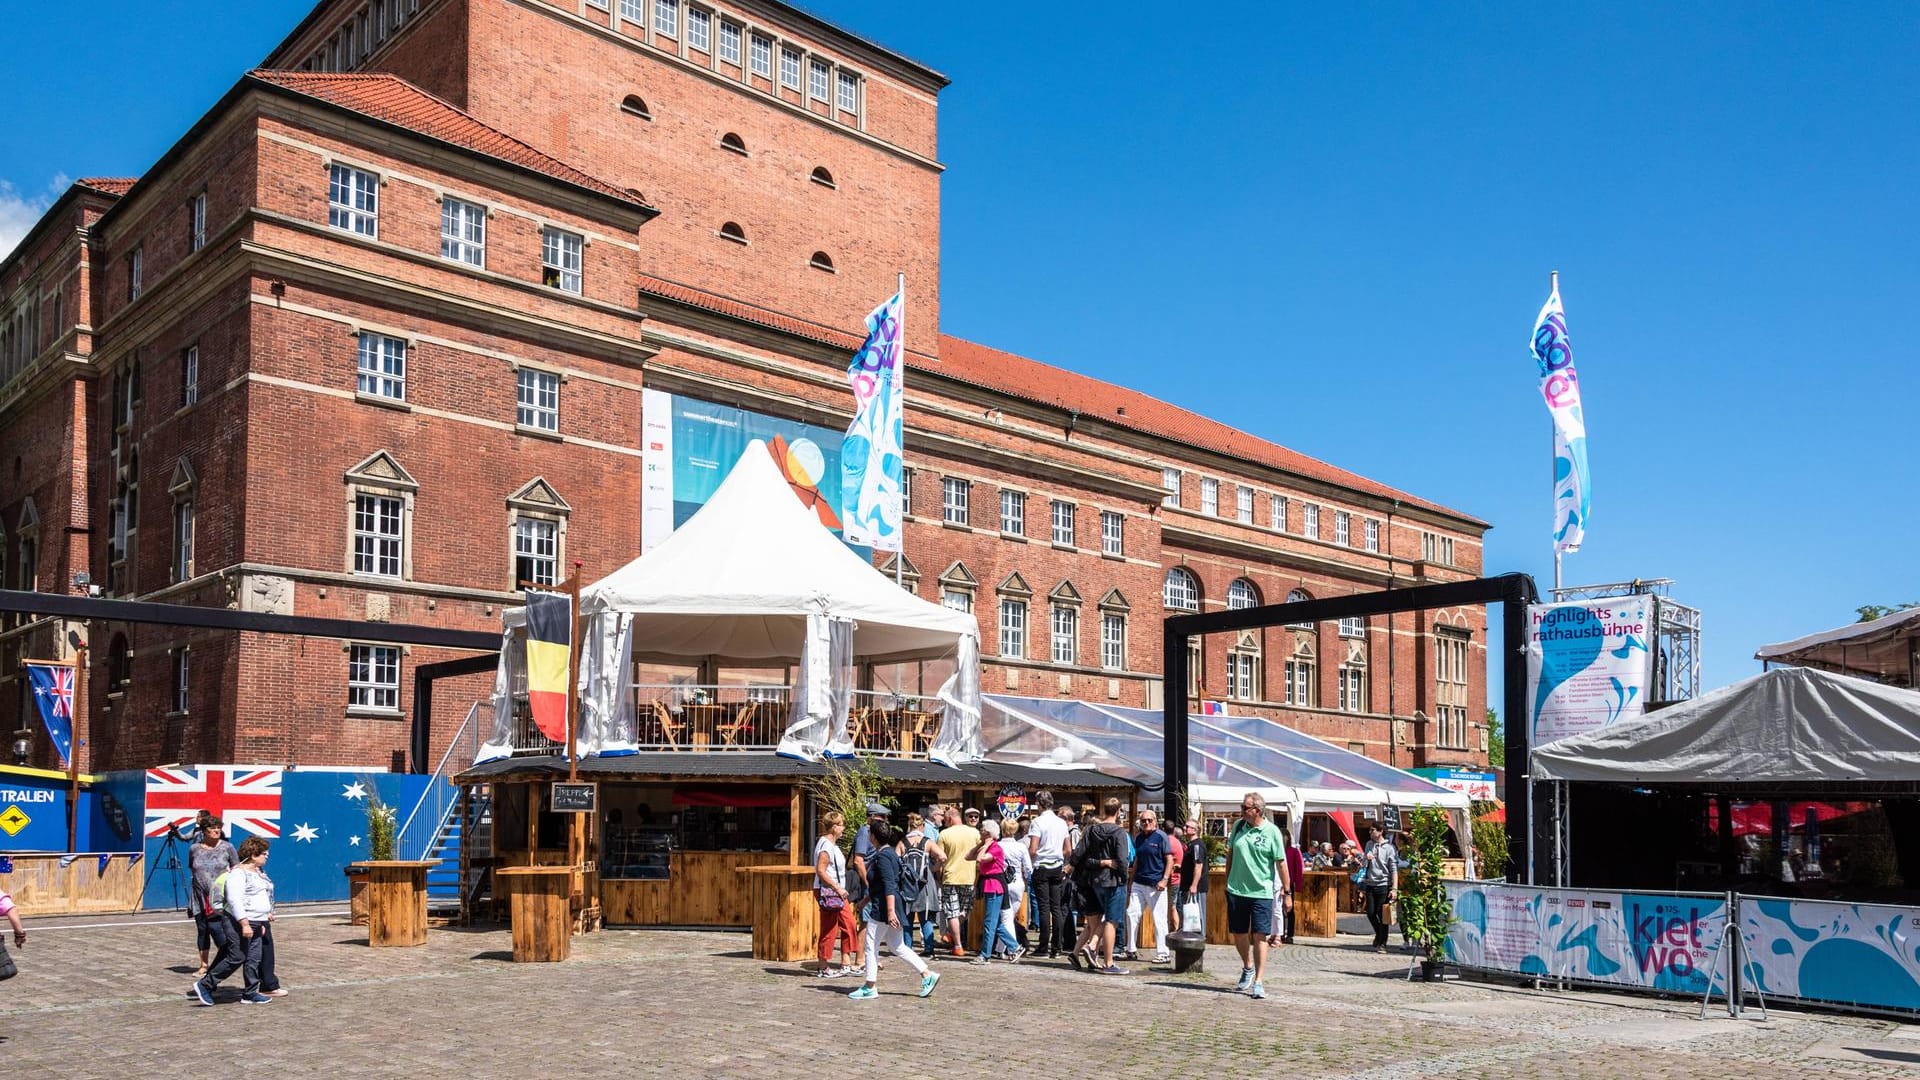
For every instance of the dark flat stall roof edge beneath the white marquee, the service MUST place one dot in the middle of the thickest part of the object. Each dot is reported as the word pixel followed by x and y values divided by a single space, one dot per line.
pixel 750 766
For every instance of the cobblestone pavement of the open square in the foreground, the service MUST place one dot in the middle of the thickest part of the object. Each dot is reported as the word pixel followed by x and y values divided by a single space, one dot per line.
pixel 108 1000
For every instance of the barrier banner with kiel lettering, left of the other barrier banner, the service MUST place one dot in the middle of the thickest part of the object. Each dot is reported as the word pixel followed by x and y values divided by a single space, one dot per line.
pixel 1623 939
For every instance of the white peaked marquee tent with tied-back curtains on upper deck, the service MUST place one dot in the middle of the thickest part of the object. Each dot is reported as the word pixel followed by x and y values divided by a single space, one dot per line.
pixel 754 576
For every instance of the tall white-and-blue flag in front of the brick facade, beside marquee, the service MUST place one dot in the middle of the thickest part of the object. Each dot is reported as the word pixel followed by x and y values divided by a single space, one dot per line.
pixel 873 451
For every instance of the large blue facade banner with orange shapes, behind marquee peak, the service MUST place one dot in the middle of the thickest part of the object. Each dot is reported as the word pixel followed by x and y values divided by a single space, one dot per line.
pixel 688 449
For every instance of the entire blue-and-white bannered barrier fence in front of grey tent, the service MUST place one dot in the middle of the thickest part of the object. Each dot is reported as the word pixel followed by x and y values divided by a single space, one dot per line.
pixel 1844 956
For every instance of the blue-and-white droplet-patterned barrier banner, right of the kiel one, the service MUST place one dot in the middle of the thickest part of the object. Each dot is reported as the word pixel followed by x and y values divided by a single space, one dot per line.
pixel 1846 954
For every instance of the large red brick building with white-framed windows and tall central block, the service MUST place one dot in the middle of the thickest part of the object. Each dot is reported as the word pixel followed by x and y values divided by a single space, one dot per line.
pixel 372 341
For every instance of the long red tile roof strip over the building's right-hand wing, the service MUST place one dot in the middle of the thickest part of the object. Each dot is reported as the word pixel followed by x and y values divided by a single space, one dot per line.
pixel 1034 381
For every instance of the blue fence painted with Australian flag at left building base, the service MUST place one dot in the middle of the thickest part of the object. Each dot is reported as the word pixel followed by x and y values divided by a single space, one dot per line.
pixel 314 818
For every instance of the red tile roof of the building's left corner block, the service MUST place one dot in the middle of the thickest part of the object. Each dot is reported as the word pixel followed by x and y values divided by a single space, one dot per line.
pixel 400 103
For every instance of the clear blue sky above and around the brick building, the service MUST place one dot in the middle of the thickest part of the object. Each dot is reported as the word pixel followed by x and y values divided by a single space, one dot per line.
pixel 1333 228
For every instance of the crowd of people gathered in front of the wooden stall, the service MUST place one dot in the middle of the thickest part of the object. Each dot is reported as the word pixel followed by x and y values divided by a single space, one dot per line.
pixel 1086 887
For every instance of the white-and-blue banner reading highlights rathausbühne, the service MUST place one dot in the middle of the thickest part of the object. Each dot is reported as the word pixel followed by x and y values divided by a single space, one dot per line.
pixel 1587 664
